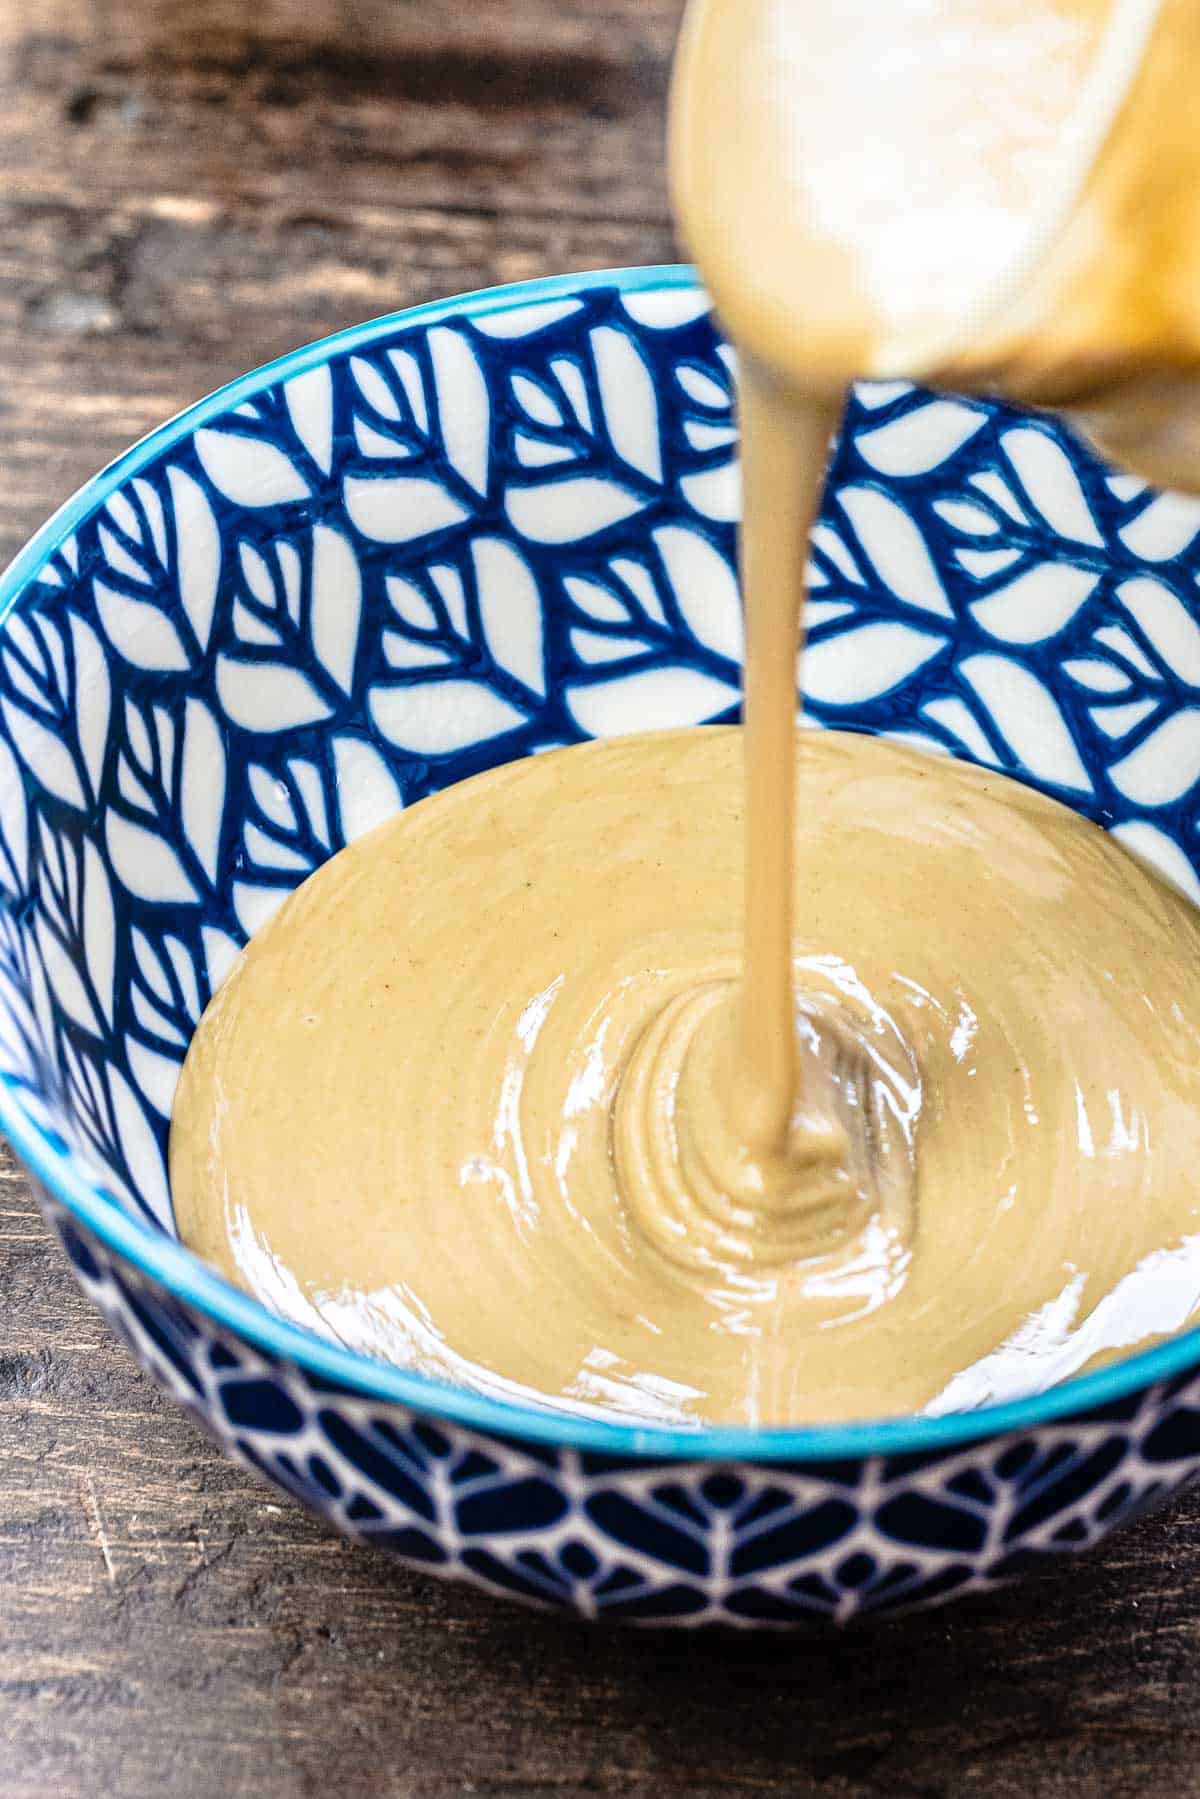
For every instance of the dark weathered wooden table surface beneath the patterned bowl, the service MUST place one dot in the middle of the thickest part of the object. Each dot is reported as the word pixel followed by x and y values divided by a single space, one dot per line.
pixel 190 188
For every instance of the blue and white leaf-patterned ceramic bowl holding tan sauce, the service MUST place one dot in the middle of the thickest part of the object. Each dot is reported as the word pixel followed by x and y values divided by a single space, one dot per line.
pixel 420 550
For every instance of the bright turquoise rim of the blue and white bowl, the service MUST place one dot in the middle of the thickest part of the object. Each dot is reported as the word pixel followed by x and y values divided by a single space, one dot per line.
pixel 168 1264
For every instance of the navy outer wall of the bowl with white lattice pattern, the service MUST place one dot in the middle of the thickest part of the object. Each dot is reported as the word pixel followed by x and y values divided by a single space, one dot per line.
pixel 681 1543
